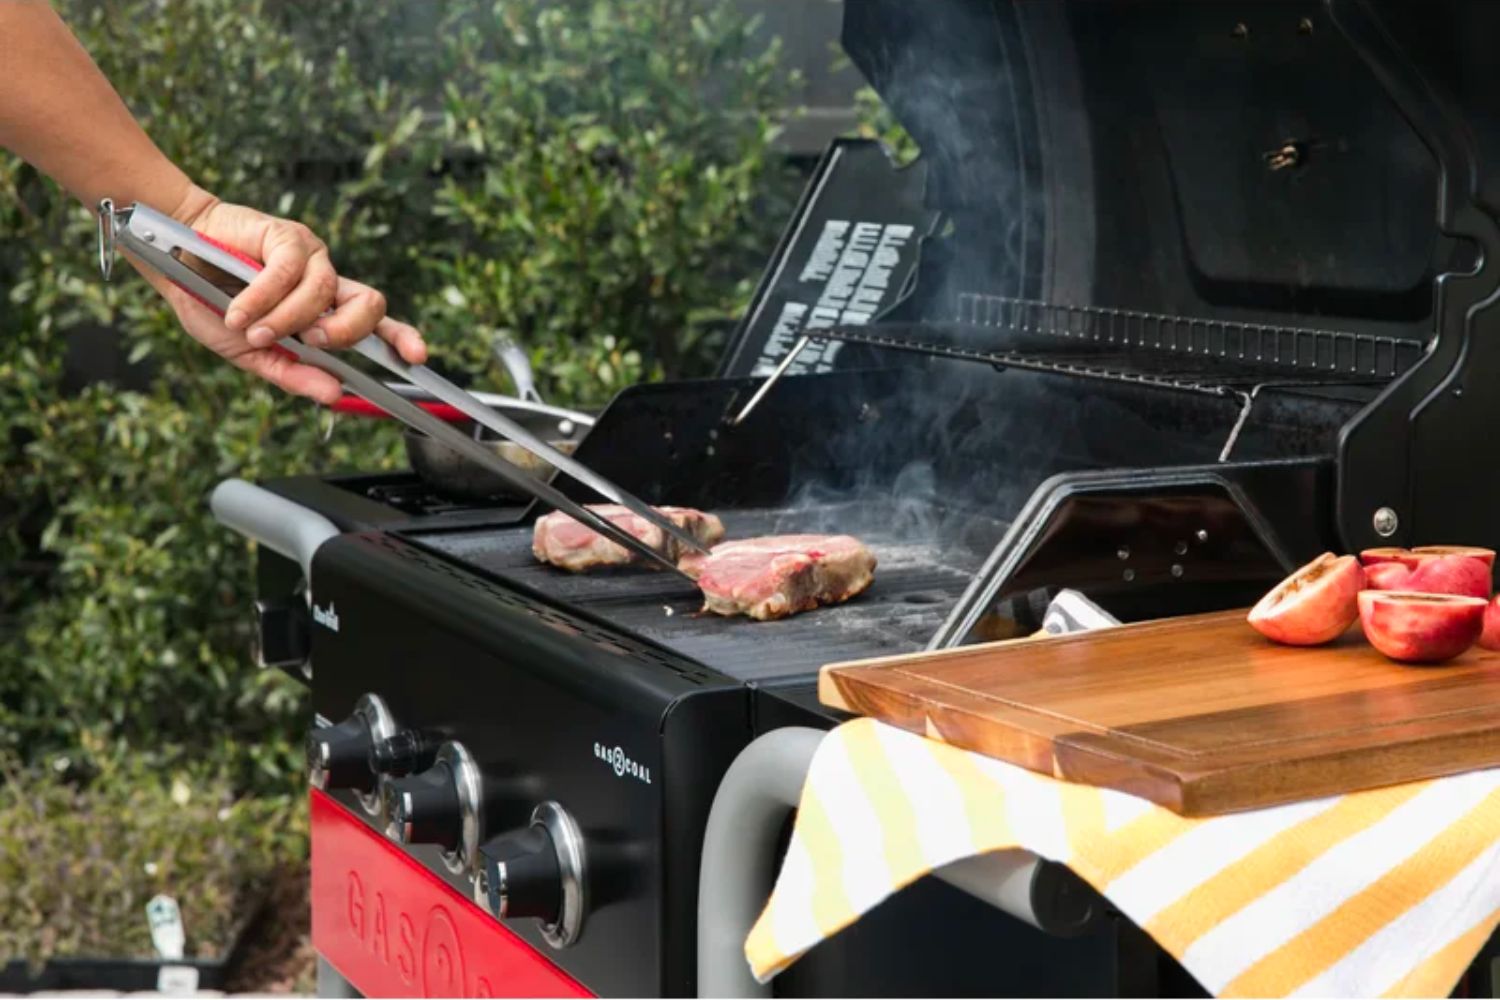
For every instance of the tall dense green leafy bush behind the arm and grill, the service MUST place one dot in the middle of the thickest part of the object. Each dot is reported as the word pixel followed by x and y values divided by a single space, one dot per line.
pixel 592 176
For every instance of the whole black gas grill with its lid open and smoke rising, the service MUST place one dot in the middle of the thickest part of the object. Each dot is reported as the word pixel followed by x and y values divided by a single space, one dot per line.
pixel 1178 298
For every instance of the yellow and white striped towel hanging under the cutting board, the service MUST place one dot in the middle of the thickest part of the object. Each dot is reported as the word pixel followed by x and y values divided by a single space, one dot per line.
pixel 1382 893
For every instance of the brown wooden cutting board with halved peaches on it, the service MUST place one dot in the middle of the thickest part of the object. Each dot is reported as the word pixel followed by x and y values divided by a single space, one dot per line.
pixel 1201 714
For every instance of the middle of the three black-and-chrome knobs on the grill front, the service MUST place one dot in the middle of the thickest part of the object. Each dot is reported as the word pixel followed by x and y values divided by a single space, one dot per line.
pixel 439 806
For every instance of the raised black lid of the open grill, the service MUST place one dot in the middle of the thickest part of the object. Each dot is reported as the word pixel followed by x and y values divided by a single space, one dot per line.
pixel 1289 190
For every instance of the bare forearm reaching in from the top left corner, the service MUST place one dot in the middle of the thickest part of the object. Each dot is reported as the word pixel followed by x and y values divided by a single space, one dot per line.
pixel 62 116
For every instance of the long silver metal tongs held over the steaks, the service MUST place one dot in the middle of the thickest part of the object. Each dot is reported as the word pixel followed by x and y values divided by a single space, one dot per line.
pixel 215 275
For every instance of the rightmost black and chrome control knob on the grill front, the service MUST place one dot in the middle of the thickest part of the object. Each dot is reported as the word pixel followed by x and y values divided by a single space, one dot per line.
pixel 538 872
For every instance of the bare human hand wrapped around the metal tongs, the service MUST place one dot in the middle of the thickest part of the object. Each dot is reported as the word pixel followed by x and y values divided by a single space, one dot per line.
pixel 289 298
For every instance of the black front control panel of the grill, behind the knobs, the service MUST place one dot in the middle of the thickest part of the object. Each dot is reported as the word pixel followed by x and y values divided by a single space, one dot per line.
pixel 535 692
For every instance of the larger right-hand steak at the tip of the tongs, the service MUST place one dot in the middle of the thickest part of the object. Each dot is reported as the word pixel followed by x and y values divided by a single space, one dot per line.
pixel 781 575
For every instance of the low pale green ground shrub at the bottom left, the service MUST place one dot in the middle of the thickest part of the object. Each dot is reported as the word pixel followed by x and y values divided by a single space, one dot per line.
pixel 79 860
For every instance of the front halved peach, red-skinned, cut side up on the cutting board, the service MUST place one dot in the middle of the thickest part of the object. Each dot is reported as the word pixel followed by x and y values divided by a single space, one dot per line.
pixel 1412 627
